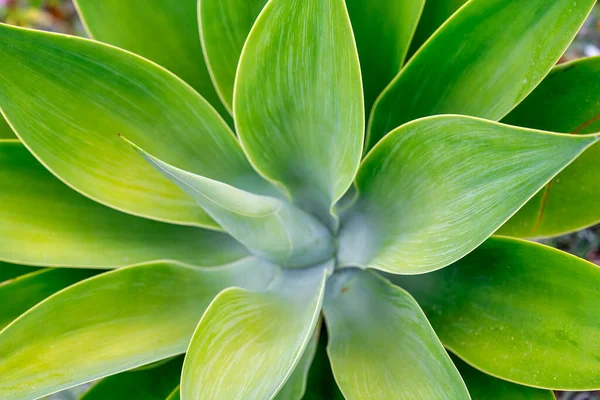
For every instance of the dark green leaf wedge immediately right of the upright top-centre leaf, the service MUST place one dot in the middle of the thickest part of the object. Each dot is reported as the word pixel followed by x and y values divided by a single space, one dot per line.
pixel 383 30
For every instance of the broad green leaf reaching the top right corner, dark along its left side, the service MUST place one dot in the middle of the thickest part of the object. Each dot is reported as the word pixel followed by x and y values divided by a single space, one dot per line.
pixel 482 62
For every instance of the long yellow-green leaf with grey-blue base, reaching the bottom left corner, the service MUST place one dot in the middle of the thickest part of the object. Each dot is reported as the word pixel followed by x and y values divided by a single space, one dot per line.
pixel 113 322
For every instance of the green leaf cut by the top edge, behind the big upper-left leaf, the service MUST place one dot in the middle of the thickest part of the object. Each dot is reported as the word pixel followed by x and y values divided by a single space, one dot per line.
pixel 165 32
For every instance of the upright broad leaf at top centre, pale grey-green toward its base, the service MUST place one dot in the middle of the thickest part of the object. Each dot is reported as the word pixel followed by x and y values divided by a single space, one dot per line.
pixel 298 100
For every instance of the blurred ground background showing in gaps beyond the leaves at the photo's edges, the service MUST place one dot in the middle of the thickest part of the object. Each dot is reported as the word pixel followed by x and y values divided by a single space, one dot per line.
pixel 61 16
